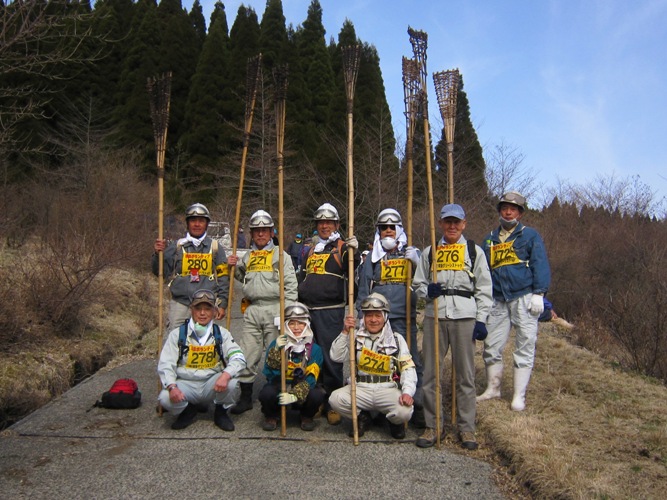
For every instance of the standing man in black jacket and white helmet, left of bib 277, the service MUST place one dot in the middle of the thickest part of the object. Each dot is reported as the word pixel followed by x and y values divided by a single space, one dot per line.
pixel 324 290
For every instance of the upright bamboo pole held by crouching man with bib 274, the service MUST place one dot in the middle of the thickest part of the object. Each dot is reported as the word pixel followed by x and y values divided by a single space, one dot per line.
pixel 351 55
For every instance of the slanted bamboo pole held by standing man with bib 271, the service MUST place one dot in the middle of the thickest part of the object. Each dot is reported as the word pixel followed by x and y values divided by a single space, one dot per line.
pixel 253 76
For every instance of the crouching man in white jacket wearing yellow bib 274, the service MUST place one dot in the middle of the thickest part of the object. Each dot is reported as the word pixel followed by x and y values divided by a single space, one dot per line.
pixel 386 375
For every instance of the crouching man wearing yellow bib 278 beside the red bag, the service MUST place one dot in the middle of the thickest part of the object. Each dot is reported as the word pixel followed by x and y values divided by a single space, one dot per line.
pixel 198 365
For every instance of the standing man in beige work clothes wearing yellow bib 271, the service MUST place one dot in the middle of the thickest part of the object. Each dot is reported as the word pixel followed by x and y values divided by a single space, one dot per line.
pixel 259 272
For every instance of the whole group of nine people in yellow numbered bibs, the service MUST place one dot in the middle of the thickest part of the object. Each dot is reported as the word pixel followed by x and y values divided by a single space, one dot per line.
pixel 480 292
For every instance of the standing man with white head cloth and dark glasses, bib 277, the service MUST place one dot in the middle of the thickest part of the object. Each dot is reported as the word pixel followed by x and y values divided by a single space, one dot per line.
pixel 386 272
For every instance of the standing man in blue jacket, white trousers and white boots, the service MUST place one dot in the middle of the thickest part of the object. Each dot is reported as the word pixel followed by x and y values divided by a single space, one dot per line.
pixel 521 278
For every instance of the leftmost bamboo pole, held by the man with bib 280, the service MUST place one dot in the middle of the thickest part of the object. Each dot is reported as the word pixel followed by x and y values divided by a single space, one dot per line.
pixel 159 91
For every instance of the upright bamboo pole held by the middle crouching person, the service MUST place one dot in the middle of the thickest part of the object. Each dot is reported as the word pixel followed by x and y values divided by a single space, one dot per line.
pixel 280 90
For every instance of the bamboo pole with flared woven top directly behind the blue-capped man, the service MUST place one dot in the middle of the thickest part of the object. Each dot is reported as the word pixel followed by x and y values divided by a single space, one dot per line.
pixel 446 90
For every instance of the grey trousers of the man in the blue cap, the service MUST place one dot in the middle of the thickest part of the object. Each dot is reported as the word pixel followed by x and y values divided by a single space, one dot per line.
pixel 456 334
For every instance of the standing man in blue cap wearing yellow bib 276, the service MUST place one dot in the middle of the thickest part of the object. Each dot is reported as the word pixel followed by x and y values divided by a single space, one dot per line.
pixel 462 291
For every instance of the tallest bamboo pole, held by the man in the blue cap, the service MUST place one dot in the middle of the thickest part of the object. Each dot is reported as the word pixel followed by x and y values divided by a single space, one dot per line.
pixel 419 41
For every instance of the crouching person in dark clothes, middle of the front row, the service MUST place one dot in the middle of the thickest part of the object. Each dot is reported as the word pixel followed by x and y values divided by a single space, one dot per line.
pixel 304 362
